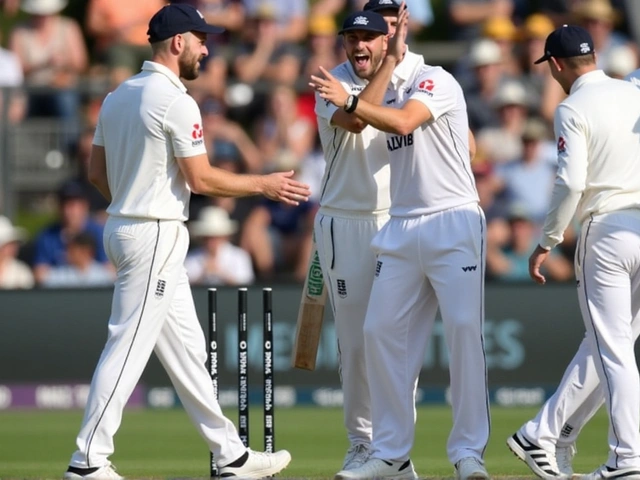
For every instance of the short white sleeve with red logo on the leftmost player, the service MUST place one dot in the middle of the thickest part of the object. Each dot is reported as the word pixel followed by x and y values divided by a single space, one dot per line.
pixel 183 122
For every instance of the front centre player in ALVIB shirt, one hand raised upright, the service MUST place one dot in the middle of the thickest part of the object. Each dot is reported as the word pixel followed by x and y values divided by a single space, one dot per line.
pixel 430 251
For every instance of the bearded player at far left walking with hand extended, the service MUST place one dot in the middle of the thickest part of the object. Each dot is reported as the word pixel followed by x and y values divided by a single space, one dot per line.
pixel 148 155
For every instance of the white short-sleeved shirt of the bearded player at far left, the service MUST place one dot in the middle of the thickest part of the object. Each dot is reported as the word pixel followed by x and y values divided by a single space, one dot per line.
pixel 143 125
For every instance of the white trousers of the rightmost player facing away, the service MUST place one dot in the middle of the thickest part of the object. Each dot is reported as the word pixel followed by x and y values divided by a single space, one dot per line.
pixel 603 369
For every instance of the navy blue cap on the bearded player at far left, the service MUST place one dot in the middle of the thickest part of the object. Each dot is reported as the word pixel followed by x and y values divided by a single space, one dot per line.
pixel 178 18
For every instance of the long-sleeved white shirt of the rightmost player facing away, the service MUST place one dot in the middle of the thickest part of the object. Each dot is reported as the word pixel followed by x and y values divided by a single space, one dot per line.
pixel 598 135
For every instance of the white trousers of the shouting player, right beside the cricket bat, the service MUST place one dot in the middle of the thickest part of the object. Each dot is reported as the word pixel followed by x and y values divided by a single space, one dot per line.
pixel 348 264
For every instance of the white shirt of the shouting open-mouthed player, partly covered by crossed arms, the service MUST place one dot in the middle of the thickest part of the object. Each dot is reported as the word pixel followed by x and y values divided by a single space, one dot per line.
pixel 356 176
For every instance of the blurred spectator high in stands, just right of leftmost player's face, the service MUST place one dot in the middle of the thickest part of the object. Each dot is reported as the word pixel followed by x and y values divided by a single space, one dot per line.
pixel 261 54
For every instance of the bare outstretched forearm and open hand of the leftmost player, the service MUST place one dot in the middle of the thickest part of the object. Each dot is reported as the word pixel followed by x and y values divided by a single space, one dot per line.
pixel 216 182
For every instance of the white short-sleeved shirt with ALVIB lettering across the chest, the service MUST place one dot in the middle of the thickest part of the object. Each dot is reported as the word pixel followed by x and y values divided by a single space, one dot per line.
pixel 431 167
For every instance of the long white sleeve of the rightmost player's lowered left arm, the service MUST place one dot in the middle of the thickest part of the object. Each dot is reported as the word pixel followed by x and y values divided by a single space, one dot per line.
pixel 571 176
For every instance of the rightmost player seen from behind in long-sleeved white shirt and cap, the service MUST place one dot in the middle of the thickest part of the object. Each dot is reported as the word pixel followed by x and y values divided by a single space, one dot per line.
pixel 598 180
